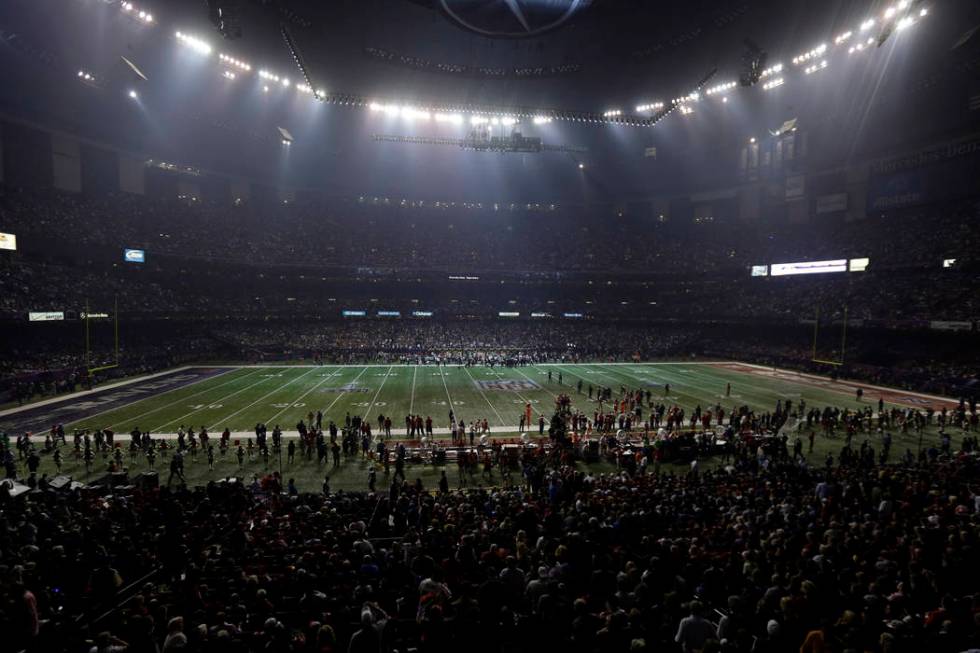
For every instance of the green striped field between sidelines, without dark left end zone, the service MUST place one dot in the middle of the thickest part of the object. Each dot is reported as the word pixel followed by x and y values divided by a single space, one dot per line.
pixel 238 398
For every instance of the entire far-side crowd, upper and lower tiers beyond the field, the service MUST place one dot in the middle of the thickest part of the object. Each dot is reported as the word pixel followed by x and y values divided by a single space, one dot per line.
pixel 266 268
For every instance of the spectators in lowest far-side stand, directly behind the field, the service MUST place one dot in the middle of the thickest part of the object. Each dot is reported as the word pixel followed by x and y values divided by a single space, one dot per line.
pixel 933 362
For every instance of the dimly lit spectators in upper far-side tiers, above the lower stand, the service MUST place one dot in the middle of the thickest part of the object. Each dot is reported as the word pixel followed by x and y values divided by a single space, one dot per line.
pixel 294 254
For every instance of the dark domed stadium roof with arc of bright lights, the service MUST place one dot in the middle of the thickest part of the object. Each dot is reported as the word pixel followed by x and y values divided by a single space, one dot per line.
pixel 70 64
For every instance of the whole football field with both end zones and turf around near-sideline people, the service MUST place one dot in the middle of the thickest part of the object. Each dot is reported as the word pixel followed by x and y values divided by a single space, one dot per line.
pixel 239 397
